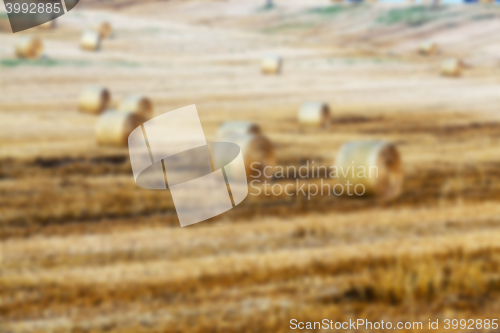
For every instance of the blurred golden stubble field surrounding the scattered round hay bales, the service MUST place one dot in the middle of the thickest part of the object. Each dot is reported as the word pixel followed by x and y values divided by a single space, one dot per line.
pixel 84 249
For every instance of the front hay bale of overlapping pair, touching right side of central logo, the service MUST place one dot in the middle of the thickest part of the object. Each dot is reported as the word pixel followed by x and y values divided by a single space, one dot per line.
pixel 258 153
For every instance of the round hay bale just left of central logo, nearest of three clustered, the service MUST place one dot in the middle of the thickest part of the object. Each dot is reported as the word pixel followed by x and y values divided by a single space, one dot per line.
pixel 113 128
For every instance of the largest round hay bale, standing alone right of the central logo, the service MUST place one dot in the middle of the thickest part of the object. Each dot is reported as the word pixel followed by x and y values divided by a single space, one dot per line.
pixel 374 166
